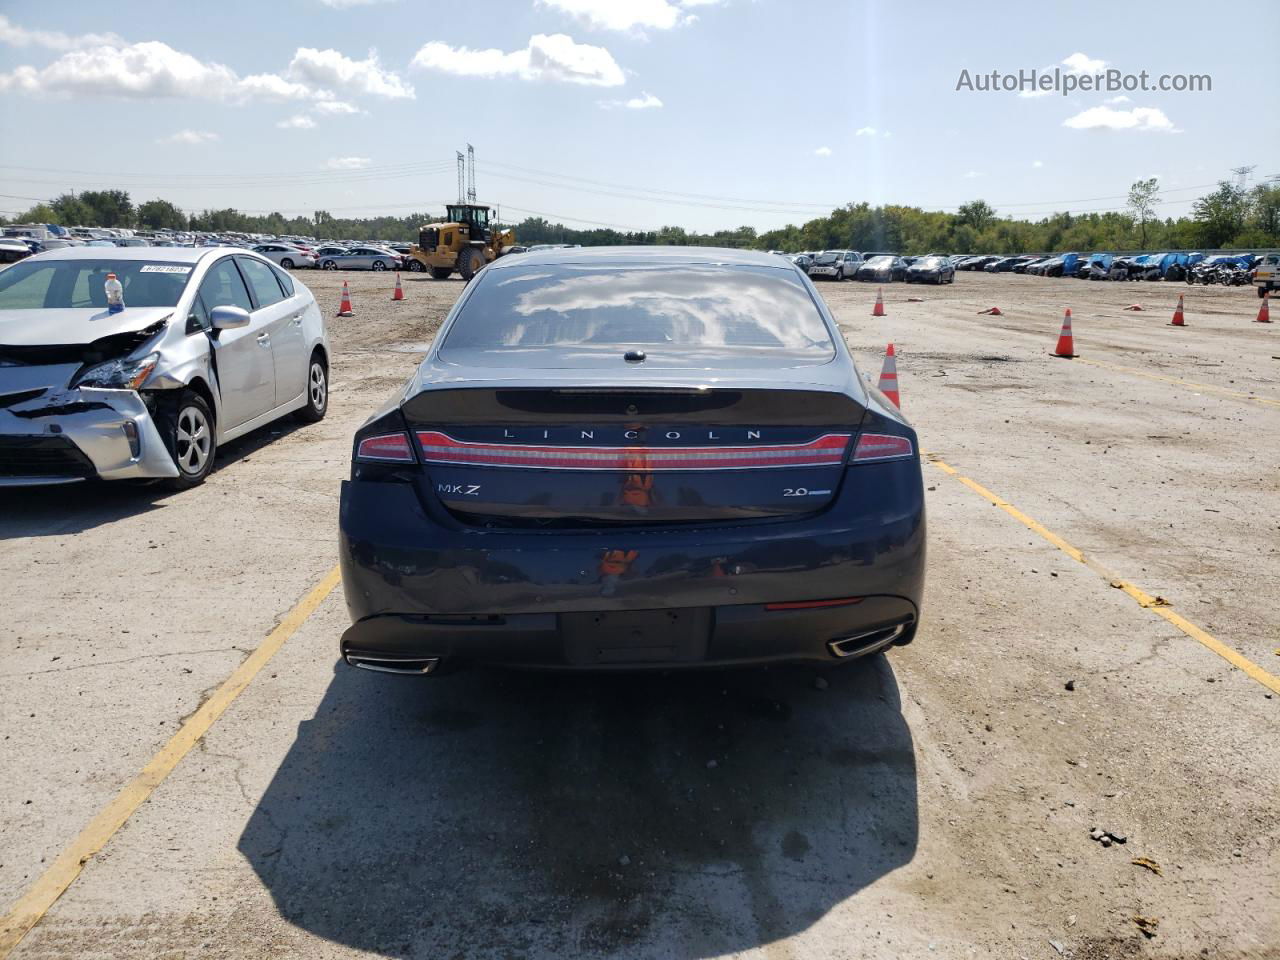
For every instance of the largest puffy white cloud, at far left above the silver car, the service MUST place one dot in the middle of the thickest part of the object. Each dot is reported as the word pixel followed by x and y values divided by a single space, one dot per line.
pixel 149 71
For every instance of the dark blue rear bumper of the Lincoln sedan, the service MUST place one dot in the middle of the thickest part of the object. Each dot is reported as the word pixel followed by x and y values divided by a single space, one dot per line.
pixel 420 586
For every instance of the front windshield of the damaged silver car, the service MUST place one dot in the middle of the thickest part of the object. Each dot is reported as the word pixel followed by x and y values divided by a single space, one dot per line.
pixel 34 285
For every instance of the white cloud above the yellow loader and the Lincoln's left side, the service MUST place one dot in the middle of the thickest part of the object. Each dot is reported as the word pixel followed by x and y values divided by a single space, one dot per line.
pixel 547 57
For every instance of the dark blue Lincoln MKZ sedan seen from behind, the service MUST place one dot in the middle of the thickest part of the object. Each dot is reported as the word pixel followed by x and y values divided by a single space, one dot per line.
pixel 623 459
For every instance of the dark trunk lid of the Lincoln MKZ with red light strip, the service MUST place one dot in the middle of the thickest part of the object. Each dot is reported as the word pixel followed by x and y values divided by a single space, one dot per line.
pixel 582 456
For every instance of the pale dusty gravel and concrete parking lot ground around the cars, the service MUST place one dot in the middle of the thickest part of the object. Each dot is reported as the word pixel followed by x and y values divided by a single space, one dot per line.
pixel 935 802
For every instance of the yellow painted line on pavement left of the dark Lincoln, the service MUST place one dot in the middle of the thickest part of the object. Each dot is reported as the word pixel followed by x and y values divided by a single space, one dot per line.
pixel 63 872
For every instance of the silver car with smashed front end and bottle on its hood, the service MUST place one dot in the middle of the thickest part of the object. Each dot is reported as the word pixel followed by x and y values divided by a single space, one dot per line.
pixel 139 363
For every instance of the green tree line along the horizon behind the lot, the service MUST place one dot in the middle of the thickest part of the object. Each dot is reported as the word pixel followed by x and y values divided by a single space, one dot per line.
pixel 1229 217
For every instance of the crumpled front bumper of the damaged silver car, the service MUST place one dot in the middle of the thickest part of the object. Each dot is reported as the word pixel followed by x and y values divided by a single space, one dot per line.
pixel 65 436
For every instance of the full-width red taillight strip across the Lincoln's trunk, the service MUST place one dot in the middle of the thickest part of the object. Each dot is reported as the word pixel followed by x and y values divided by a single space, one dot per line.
pixel 828 451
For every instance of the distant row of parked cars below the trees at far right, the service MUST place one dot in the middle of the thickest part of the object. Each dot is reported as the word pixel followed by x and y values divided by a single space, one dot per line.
pixel 1228 269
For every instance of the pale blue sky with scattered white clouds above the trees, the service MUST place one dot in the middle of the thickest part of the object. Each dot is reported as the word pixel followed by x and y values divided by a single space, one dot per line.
pixel 701 113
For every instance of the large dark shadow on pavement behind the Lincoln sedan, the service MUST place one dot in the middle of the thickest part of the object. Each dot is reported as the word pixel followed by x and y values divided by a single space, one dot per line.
pixel 499 813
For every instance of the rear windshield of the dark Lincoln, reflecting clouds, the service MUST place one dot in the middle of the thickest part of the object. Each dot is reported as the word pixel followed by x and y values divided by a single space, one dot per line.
pixel 664 308
